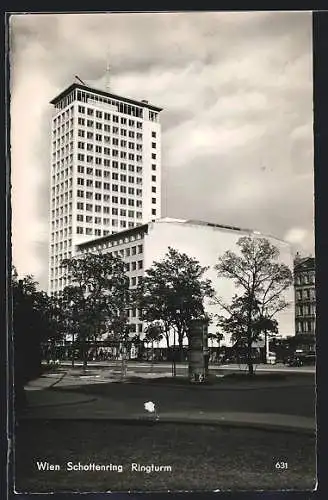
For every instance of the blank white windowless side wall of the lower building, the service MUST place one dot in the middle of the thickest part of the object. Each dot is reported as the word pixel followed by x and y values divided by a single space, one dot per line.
pixel 206 244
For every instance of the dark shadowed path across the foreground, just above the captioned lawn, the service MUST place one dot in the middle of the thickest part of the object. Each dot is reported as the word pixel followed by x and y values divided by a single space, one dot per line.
pixel 57 405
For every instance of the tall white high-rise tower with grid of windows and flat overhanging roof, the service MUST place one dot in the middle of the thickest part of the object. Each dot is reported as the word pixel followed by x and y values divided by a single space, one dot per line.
pixel 105 170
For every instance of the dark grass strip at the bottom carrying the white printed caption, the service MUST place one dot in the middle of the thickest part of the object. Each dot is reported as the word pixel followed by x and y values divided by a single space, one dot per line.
pixel 201 457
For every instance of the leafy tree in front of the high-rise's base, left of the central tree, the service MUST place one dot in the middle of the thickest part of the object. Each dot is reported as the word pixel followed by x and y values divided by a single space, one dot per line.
pixel 101 291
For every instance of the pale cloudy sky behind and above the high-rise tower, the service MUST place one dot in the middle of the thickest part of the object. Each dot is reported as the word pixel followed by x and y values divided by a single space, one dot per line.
pixel 236 89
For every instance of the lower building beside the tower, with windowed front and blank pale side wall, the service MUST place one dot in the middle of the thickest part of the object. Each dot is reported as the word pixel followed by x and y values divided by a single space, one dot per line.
pixel 141 246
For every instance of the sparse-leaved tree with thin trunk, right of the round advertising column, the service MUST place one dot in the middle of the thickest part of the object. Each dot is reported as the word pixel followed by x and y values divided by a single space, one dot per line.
pixel 262 281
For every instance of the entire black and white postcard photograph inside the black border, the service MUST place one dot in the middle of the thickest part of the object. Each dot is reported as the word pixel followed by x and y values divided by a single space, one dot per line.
pixel 163 251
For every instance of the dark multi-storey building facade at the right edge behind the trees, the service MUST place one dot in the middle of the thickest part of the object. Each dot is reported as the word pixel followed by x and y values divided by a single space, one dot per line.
pixel 305 297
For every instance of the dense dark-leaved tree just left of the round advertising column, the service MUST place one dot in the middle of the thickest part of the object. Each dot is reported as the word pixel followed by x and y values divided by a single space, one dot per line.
pixel 173 291
